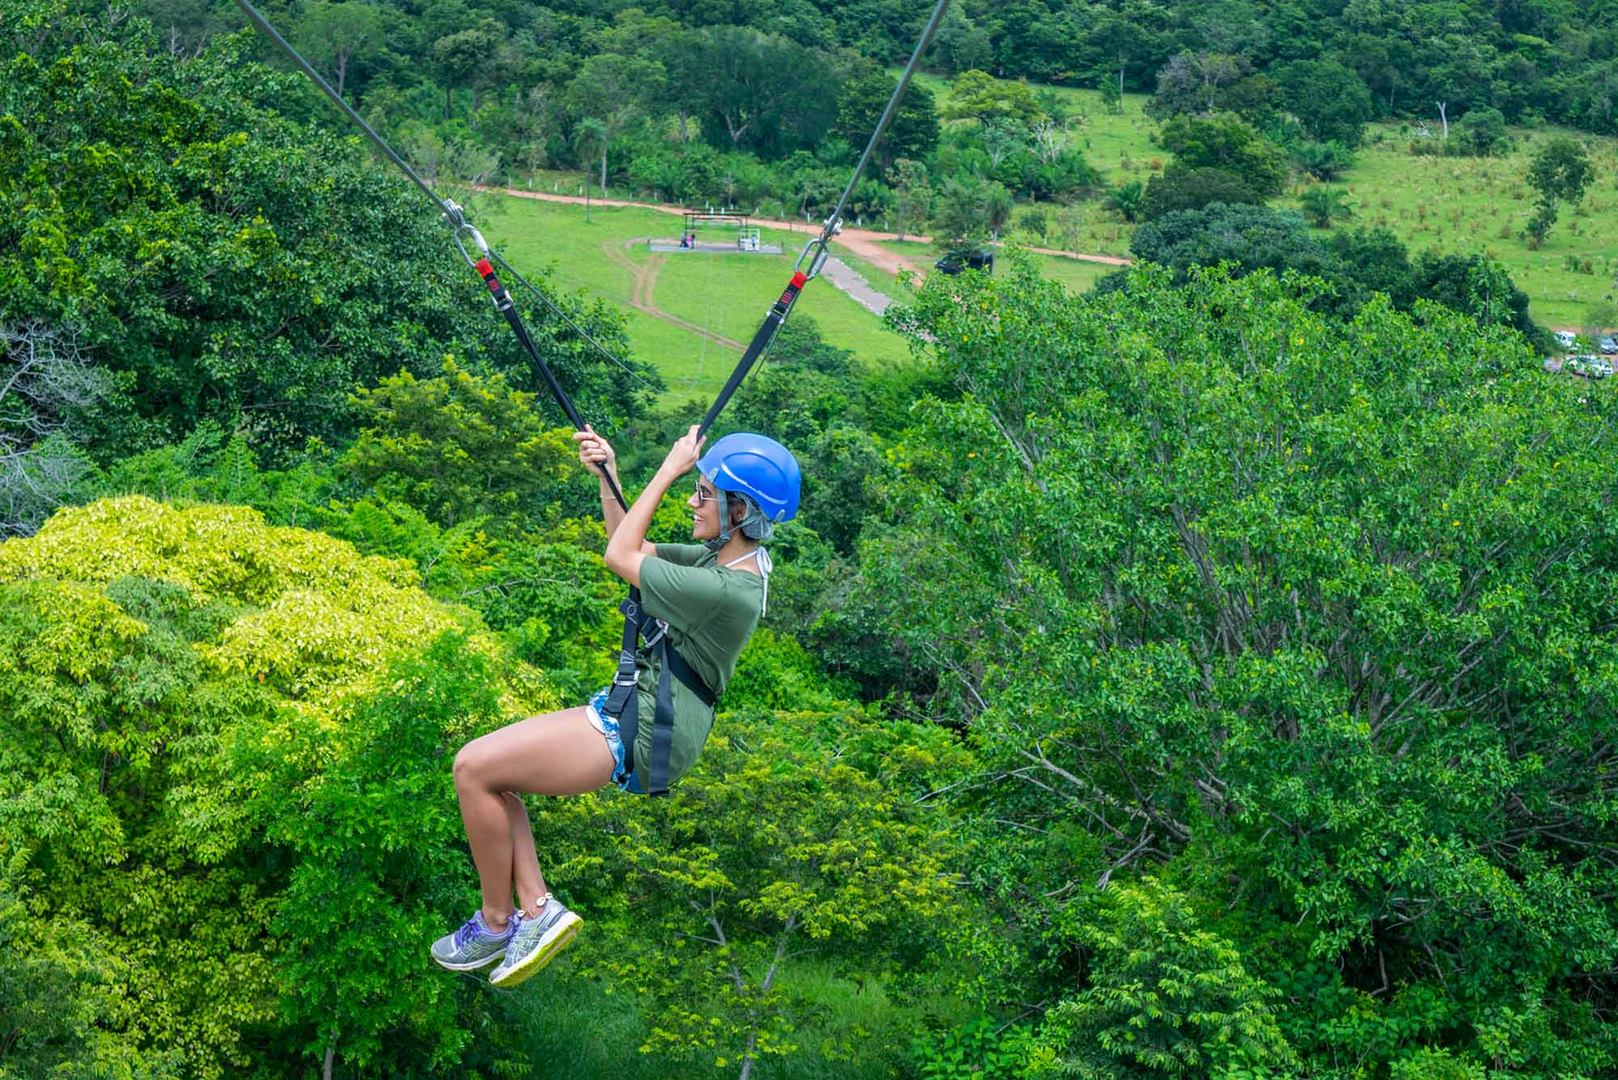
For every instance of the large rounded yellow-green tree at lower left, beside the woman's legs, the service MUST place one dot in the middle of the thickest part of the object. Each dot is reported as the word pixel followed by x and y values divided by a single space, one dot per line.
pixel 193 679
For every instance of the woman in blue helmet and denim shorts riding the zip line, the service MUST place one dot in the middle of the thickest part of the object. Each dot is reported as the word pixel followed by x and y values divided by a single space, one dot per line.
pixel 711 595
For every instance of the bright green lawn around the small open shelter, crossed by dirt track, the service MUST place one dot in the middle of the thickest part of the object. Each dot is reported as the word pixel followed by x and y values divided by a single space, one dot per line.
pixel 724 294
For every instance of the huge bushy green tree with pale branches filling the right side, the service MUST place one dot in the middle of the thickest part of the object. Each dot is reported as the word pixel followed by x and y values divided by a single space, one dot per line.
pixel 1279 610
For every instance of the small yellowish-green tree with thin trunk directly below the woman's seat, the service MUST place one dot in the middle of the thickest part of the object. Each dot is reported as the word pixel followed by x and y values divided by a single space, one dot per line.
pixel 786 841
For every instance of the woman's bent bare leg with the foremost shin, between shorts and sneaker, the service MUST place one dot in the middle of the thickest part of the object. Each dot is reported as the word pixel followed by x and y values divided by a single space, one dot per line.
pixel 557 754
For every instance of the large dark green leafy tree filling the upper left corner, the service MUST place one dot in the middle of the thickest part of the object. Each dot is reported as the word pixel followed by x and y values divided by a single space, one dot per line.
pixel 192 249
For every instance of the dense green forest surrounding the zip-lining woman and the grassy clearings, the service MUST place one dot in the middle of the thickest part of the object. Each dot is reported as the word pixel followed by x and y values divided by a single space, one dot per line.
pixel 1205 674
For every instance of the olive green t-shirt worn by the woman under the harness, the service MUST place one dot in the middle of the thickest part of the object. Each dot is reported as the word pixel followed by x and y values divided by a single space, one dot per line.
pixel 711 614
